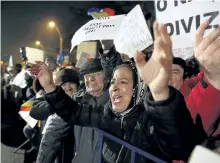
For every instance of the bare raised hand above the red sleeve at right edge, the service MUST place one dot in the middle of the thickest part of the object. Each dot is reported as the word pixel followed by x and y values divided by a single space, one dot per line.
pixel 207 52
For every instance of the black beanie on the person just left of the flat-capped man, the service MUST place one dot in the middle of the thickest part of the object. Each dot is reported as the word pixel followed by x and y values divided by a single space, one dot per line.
pixel 67 75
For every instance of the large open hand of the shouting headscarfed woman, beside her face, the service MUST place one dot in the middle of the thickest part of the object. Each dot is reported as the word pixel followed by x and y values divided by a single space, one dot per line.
pixel 157 70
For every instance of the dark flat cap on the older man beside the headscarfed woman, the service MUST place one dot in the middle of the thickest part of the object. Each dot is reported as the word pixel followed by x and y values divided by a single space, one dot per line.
pixel 93 65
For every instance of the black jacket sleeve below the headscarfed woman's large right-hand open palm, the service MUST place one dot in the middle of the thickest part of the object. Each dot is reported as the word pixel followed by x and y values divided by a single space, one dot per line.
pixel 174 128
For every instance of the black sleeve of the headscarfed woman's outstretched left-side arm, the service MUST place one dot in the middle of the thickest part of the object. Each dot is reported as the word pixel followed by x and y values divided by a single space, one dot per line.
pixel 72 112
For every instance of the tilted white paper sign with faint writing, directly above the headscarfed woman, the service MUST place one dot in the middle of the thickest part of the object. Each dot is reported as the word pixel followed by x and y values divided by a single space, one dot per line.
pixel 133 34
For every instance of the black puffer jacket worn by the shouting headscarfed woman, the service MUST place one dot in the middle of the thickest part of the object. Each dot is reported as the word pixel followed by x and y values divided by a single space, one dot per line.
pixel 164 128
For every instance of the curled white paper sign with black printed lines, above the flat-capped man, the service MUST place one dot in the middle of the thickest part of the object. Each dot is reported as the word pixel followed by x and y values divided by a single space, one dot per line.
pixel 103 29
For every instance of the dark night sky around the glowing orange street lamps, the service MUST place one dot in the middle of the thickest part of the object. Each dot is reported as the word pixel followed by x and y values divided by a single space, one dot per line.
pixel 22 23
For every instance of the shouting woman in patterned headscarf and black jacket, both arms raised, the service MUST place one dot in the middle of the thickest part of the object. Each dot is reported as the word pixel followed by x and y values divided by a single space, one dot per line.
pixel 153 123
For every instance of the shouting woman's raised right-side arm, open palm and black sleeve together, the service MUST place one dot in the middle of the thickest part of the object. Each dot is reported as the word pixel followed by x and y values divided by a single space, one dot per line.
pixel 165 105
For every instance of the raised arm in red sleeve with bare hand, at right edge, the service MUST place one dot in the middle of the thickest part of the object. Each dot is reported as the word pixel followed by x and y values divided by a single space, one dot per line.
pixel 203 101
